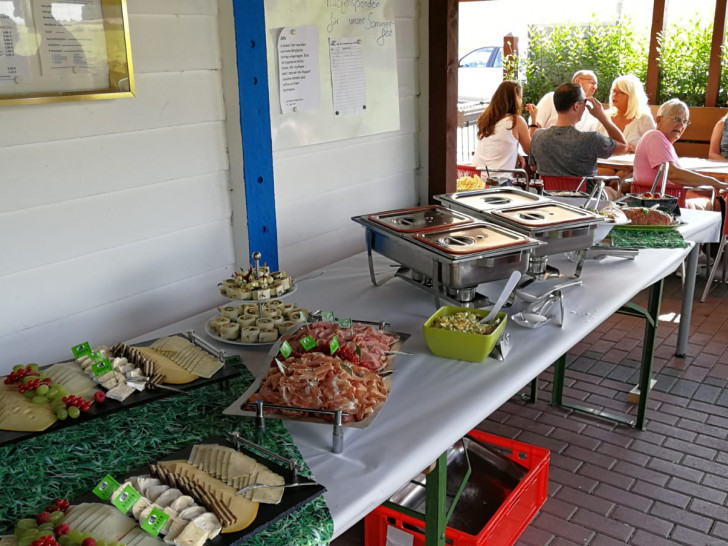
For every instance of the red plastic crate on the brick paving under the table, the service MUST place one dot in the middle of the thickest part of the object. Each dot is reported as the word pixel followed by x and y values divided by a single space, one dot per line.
pixel 507 523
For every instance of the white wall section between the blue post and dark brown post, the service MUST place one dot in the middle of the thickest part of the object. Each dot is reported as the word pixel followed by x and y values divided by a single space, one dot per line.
pixel 319 188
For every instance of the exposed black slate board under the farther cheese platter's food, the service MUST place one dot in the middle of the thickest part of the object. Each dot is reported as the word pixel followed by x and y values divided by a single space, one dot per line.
pixel 230 370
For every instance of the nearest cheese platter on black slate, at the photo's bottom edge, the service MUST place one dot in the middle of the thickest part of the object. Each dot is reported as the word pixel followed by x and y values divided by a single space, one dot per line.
pixel 214 492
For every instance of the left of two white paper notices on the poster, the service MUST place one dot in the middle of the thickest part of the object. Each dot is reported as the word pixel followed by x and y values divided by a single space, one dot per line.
pixel 298 69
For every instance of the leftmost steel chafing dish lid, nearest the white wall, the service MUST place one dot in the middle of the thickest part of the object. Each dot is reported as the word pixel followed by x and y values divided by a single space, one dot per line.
pixel 417 219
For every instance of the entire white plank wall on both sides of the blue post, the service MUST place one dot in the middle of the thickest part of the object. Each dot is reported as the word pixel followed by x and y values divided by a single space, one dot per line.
pixel 115 216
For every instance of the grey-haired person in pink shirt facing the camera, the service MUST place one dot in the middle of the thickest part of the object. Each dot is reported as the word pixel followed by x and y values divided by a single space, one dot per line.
pixel 656 147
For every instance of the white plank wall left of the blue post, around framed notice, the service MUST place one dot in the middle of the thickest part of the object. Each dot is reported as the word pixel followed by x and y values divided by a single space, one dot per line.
pixel 115 215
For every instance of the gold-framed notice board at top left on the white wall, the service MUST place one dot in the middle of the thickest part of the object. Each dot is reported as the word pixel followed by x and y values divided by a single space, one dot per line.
pixel 57 50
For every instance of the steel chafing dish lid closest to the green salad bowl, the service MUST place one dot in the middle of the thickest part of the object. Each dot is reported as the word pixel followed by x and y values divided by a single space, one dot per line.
pixel 477 240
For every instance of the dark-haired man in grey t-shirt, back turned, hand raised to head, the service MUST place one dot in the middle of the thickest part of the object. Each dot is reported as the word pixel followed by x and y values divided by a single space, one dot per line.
pixel 563 150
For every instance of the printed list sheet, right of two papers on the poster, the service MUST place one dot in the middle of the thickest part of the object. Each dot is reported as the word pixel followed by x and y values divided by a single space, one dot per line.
pixel 348 81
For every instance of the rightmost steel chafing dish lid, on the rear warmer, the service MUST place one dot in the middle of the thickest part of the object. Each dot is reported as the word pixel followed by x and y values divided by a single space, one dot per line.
pixel 546 216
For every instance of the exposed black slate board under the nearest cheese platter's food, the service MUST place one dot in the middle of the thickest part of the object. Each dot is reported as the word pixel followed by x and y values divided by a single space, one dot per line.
pixel 293 497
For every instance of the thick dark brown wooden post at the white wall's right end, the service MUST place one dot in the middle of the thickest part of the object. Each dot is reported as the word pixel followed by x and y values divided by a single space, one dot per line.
pixel 443 87
